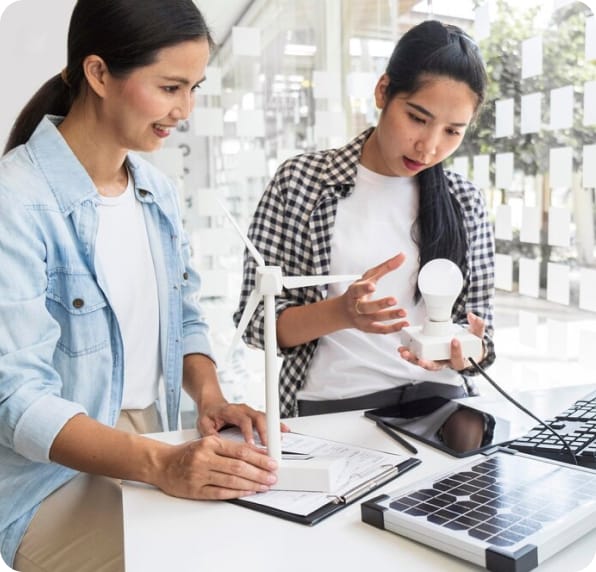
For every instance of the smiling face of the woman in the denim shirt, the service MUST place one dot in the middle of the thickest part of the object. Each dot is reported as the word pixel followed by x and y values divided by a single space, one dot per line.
pixel 141 109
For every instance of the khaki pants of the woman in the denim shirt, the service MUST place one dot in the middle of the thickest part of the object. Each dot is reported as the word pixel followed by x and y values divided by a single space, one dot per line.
pixel 79 527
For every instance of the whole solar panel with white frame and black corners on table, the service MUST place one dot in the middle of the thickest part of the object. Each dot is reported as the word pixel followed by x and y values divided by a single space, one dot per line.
pixel 506 512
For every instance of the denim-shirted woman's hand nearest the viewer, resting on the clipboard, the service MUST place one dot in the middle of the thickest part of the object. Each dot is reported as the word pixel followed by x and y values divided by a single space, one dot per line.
pixel 212 468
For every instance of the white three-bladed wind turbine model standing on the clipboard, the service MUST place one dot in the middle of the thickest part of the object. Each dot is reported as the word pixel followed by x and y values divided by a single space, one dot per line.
pixel 308 473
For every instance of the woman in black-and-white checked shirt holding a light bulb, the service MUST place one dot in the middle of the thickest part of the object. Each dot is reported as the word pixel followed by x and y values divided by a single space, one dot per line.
pixel 382 197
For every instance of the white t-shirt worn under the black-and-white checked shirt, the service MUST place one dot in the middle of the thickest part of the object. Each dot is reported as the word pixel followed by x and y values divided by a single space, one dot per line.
pixel 373 224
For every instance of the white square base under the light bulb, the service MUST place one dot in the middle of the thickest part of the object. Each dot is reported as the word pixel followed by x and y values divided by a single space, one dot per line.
pixel 438 347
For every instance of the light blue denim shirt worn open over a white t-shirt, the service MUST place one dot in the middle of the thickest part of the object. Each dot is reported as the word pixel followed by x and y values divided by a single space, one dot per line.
pixel 60 344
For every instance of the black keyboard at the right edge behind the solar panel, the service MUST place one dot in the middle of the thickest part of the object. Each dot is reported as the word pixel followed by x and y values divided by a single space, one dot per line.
pixel 577 425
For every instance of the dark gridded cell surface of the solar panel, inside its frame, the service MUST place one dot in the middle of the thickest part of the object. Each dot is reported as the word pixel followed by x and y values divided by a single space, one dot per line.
pixel 500 501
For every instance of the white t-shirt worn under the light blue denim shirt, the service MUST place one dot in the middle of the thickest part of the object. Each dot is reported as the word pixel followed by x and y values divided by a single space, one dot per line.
pixel 125 268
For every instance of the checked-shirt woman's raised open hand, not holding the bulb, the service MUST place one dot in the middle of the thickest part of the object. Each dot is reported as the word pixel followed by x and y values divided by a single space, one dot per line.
pixel 370 315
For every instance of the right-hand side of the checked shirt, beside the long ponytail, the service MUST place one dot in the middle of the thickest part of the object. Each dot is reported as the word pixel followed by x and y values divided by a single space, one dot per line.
pixel 478 292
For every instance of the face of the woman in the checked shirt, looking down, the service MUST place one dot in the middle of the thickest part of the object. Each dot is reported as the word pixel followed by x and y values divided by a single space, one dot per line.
pixel 419 130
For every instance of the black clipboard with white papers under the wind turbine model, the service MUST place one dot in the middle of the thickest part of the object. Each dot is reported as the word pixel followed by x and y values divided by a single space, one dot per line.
pixel 366 470
